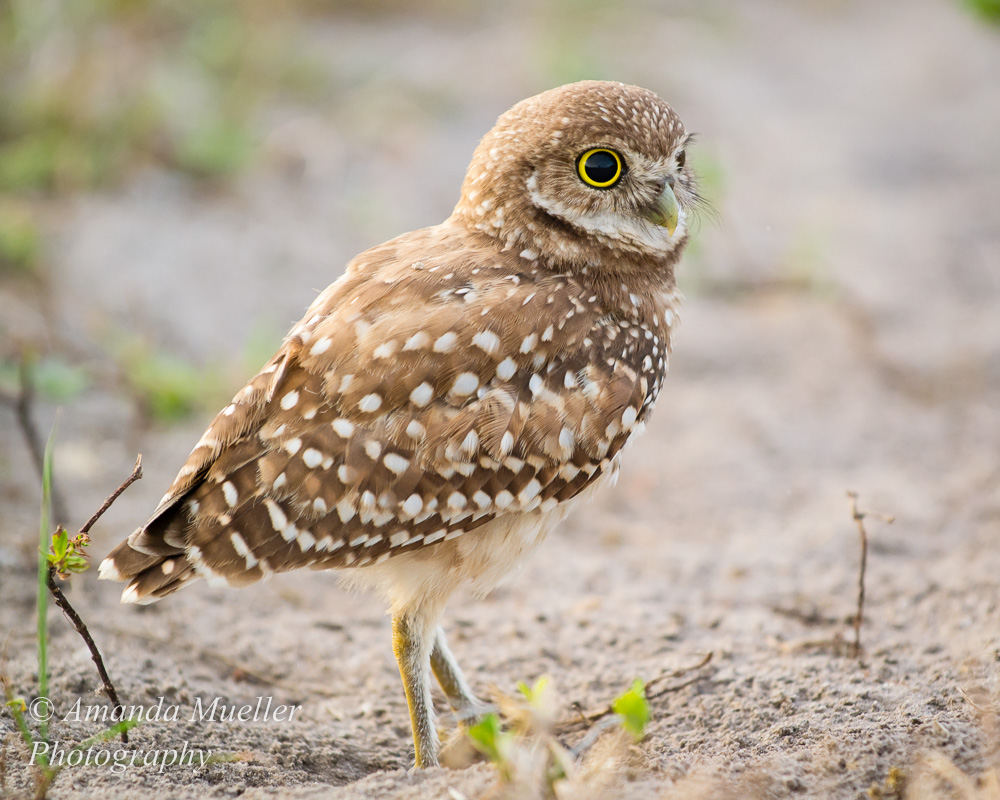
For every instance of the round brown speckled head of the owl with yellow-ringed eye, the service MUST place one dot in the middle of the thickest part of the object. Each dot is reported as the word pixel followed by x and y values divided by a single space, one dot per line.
pixel 583 173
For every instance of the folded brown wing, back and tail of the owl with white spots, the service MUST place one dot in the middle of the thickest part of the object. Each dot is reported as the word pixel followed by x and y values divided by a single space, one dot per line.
pixel 426 392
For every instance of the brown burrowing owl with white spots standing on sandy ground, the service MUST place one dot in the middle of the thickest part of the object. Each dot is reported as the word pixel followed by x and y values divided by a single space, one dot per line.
pixel 444 404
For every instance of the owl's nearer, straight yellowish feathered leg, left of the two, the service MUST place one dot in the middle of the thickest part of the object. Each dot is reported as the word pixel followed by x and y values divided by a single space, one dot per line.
pixel 413 637
